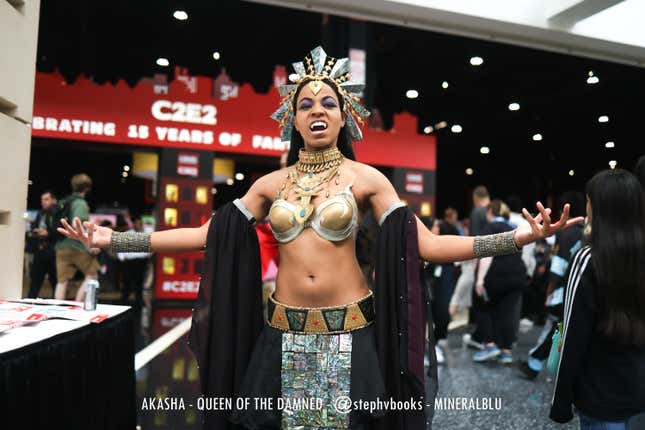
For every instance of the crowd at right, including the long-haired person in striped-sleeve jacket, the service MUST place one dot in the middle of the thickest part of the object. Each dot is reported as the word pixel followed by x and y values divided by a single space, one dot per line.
pixel 585 285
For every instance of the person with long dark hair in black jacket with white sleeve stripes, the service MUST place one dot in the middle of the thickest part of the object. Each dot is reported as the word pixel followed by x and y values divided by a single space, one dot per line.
pixel 601 369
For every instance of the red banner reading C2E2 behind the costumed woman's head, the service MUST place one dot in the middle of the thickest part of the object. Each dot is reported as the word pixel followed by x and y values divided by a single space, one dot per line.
pixel 185 114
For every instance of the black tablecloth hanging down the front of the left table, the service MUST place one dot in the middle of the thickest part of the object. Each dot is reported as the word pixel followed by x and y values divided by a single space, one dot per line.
pixel 81 379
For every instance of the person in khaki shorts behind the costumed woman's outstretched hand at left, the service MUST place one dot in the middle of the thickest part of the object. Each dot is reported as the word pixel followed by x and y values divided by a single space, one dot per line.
pixel 72 255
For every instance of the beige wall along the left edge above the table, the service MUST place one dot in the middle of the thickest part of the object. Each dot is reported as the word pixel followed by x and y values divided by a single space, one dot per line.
pixel 18 39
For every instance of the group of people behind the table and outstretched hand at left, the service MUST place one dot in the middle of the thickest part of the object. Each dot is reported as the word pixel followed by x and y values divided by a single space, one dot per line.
pixel 62 260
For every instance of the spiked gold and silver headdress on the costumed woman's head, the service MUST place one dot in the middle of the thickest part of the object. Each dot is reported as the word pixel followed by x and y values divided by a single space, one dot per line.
pixel 317 67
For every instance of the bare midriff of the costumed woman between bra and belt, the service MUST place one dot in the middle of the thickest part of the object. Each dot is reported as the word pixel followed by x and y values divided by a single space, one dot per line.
pixel 315 272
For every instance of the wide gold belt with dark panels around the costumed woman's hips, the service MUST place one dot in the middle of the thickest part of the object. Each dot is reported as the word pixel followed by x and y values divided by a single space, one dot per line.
pixel 333 319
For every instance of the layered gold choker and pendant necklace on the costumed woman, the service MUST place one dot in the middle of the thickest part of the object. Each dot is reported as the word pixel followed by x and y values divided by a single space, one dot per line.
pixel 311 184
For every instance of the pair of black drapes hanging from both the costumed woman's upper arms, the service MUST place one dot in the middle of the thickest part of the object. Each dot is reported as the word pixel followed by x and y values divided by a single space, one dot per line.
pixel 227 318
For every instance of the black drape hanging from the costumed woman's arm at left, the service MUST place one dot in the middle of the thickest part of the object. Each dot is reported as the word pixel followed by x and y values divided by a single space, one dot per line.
pixel 227 318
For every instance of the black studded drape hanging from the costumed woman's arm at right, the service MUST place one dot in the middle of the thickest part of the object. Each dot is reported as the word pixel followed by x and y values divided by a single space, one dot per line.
pixel 400 320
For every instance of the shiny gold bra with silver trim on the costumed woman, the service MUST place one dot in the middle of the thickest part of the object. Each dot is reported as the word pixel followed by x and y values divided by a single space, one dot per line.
pixel 334 219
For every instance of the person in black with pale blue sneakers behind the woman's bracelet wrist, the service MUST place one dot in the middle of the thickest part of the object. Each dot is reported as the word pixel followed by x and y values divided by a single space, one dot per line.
pixel 500 282
